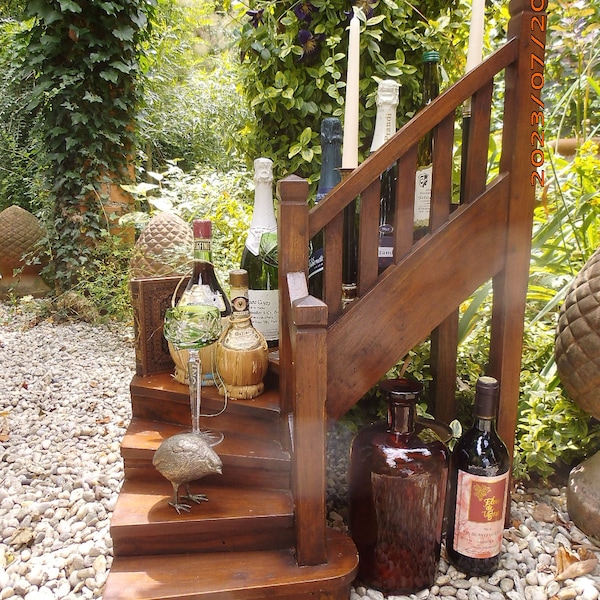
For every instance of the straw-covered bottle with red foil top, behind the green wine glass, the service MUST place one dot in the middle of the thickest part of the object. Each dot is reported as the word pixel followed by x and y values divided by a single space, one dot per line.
pixel 202 288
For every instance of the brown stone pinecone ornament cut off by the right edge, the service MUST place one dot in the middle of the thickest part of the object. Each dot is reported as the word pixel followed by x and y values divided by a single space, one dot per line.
pixel 577 345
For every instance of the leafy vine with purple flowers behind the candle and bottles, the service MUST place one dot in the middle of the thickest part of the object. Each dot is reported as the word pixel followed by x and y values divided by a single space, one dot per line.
pixel 293 71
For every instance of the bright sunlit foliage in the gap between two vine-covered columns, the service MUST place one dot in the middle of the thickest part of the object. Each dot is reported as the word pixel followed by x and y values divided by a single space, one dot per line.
pixel 192 109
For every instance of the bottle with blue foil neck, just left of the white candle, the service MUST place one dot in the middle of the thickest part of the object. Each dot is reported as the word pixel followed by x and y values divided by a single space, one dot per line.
pixel 331 161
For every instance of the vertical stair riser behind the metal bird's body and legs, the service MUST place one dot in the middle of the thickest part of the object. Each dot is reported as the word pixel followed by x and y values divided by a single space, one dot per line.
pixel 241 477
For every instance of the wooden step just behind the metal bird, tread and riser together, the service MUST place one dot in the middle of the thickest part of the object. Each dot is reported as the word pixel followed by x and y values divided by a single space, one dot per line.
pixel 248 460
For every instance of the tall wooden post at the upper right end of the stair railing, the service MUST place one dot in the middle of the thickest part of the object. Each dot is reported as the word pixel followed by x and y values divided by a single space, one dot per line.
pixel 521 156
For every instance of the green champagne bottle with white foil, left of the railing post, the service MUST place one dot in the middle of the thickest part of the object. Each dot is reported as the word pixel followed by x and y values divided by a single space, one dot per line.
pixel 259 257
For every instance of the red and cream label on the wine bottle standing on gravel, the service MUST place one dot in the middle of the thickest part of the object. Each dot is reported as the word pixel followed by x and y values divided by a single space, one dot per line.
pixel 479 516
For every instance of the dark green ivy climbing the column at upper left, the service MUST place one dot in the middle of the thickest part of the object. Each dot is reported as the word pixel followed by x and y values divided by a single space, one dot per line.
pixel 84 58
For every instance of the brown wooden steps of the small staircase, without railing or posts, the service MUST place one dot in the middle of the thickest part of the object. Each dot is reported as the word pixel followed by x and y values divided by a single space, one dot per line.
pixel 239 544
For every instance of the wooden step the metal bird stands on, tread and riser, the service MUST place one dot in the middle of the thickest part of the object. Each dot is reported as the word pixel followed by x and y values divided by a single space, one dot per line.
pixel 232 519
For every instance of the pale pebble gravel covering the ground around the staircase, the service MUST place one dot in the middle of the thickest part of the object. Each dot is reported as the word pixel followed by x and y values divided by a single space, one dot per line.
pixel 64 407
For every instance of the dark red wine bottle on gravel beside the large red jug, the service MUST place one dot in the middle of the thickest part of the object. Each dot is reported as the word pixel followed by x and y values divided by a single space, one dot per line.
pixel 479 477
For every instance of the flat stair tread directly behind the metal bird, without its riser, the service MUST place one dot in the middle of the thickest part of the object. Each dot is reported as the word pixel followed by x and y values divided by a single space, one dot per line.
pixel 143 437
